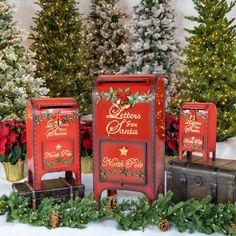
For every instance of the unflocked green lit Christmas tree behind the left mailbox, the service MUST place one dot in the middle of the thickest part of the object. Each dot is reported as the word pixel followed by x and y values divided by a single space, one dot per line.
pixel 61 55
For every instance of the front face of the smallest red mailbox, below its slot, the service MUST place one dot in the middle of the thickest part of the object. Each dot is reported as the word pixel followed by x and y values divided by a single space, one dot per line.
pixel 192 128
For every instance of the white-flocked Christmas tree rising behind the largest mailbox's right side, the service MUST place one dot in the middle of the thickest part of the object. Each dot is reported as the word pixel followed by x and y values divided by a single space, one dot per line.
pixel 152 45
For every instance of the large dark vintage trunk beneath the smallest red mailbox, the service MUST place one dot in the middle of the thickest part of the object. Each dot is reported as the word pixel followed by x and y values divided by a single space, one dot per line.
pixel 194 178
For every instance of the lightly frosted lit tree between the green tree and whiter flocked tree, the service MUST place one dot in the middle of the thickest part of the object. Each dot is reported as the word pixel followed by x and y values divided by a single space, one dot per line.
pixel 106 37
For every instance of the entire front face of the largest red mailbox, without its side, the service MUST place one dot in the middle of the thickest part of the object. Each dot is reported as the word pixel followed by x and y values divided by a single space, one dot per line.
pixel 123 109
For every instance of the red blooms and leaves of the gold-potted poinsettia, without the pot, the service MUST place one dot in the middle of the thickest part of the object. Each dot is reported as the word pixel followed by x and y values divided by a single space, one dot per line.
pixel 12 141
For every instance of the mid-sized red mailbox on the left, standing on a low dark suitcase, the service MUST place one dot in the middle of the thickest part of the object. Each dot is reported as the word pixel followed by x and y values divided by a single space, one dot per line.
pixel 52 138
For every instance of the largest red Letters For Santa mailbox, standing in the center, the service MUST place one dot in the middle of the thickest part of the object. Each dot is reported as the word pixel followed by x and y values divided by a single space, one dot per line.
pixel 128 131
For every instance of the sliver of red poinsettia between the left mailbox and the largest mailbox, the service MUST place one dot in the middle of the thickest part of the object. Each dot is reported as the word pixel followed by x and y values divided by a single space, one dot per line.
pixel 86 138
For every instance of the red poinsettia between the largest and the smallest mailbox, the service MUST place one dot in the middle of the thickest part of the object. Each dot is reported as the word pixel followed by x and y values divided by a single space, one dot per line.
pixel 171 135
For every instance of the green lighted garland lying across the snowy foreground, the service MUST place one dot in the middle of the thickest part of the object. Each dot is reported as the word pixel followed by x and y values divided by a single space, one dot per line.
pixel 192 215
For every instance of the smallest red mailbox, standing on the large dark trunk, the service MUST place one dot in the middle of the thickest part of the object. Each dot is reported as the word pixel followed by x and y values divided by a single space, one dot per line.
pixel 198 129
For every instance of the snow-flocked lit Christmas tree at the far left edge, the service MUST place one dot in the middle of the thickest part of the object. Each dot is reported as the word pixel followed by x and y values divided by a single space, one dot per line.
pixel 17 81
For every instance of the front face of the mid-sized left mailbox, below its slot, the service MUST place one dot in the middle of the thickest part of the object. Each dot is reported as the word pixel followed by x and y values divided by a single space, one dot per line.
pixel 57 138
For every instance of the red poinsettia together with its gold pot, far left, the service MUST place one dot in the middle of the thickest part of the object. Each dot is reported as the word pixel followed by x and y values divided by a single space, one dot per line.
pixel 13 148
